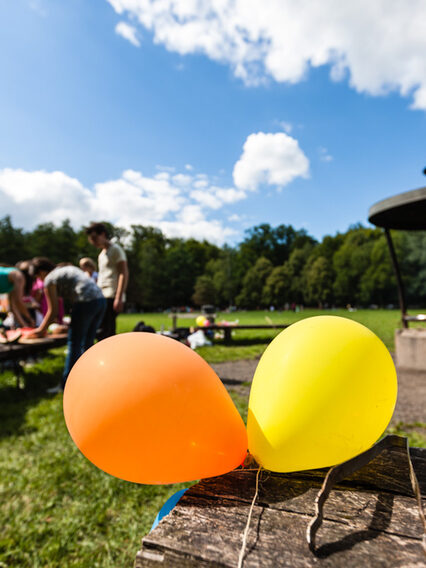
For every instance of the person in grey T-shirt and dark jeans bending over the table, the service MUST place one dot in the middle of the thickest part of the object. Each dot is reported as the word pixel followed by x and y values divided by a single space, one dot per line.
pixel 87 308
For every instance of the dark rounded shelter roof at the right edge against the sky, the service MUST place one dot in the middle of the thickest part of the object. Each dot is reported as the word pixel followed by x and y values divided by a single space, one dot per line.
pixel 406 211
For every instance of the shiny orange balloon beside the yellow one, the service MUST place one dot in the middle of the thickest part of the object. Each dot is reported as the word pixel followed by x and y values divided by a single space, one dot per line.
pixel 146 408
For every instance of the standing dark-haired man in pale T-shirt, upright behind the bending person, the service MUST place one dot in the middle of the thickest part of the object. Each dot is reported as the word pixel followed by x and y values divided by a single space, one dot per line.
pixel 113 275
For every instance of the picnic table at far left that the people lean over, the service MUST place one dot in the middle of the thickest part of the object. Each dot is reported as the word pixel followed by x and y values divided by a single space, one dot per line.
pixel 18 353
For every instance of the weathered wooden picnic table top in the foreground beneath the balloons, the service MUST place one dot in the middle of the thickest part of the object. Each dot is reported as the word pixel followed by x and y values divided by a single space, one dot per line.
pixel 371 518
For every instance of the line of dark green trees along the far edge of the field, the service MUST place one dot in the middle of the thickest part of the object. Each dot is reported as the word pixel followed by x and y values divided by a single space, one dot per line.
pixel 272 266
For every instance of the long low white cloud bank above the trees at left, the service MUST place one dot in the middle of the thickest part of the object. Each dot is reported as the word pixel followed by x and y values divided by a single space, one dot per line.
pixel 171 202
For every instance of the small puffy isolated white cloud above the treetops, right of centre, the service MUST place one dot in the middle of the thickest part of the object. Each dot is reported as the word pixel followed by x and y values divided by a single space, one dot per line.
pixel 273 159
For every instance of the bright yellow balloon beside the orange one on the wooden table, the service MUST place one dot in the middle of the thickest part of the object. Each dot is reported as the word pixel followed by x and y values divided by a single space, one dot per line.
pixel 323 392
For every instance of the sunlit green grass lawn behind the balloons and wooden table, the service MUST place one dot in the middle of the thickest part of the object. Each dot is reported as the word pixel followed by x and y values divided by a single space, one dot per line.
pixel 62 511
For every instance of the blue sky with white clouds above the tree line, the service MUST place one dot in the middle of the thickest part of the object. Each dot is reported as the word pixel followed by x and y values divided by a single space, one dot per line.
pixel 205 118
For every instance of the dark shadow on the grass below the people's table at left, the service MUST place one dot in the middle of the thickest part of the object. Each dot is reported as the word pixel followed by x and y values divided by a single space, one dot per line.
pixel 15 402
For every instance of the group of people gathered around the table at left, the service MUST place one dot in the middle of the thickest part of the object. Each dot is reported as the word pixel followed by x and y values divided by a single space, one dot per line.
pixel 95 297
